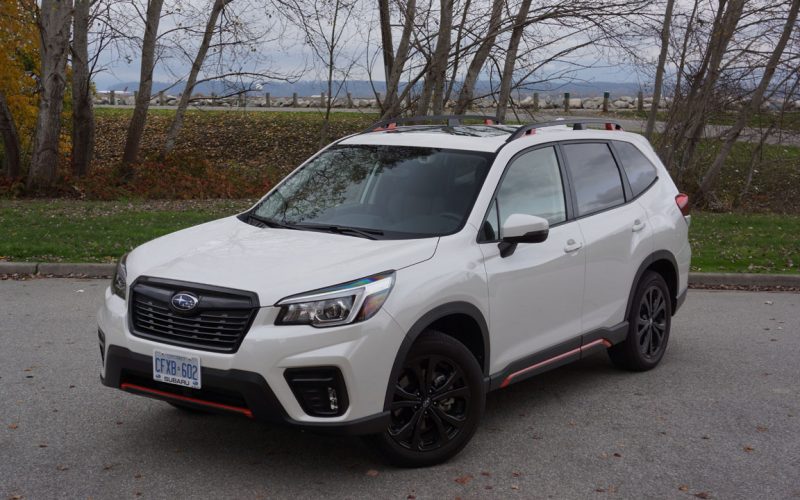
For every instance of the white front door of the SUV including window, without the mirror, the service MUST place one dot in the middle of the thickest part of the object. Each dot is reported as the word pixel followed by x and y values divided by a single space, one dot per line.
pixel 534 294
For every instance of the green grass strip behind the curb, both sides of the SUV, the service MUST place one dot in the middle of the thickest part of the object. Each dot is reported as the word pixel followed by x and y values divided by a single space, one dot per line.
pixel 92 231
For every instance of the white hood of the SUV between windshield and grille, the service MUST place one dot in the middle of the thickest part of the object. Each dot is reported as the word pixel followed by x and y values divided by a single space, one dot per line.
pixel 272 262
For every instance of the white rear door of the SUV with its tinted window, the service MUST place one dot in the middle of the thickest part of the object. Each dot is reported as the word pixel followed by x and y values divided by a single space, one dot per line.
pixel 615 229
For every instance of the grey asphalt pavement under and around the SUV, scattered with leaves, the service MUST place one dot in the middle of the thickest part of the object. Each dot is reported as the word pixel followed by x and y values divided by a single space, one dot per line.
pixel 719 418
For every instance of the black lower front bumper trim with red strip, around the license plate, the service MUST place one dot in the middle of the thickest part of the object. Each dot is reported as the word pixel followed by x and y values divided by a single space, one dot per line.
pixel 224 391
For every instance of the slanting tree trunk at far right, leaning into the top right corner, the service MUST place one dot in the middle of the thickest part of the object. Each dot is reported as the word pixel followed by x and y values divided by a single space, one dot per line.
pixel 732 134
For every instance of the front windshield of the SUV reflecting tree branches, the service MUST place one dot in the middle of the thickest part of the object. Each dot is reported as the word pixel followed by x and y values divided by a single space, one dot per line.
pixel 387 192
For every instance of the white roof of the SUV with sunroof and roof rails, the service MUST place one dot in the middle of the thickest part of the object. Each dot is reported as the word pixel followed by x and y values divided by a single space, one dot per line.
pixel 487 138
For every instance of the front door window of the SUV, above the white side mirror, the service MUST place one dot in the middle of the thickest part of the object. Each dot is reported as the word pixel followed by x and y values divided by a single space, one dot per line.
pixel 532 186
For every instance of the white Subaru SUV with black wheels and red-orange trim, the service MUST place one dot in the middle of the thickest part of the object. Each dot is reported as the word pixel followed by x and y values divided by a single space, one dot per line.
pixel 396 277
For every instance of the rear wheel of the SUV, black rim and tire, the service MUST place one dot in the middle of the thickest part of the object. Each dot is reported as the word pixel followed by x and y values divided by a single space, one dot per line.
pixel 649 323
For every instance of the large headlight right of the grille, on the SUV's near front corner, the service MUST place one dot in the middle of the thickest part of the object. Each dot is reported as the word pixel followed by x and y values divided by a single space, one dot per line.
pixel 338 305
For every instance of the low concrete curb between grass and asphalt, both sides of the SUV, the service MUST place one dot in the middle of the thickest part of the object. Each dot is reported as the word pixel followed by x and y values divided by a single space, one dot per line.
pixel 65 269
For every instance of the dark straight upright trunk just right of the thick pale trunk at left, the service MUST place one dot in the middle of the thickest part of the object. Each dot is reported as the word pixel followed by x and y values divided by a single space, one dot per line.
pixel 82 113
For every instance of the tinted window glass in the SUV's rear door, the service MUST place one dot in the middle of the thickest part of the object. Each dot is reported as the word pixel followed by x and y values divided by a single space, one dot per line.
pixel 595 176
